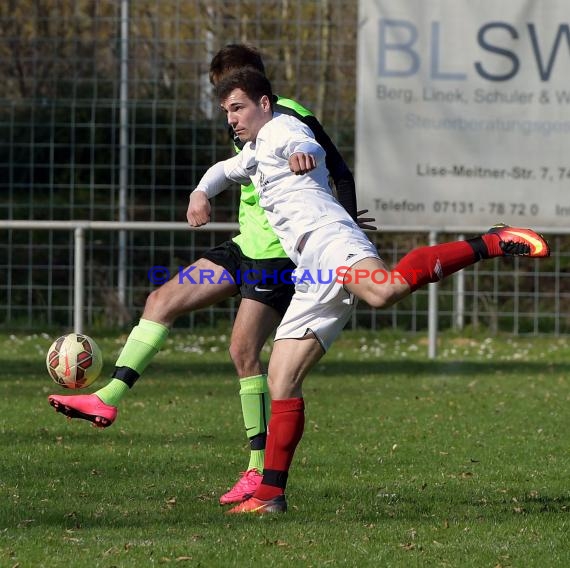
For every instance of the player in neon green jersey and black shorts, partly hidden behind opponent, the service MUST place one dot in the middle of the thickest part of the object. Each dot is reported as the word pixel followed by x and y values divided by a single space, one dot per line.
pixel 265 296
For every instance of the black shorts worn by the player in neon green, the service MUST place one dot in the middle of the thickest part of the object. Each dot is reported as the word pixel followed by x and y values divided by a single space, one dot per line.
pixel 268 280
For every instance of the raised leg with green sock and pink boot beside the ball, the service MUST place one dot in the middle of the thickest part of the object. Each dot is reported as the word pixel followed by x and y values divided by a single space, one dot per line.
pixel 202 284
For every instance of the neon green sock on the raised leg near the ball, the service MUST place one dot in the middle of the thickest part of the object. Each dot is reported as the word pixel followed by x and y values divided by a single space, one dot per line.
pixel 143 343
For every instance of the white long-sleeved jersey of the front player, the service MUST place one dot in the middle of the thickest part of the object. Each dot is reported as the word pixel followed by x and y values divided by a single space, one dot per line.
pixel 294 204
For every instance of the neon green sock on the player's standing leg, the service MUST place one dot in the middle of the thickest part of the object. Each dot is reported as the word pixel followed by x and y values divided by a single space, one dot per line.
pixel 256 407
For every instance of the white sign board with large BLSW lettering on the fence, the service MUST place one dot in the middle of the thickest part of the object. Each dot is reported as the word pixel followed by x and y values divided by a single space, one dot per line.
pixel 463 112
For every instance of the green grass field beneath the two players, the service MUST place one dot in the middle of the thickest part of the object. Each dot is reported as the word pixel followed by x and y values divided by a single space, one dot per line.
pixel 462 461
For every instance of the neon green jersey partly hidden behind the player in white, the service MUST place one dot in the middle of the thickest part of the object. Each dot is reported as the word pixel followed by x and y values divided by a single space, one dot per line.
pixel 256 238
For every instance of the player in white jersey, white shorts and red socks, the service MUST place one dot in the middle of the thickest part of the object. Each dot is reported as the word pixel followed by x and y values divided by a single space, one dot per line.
pixel 286 166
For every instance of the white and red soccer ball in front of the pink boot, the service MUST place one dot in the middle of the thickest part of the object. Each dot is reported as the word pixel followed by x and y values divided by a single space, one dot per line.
pixel 74 361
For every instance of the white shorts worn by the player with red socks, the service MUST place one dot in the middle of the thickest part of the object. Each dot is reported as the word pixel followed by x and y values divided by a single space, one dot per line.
pixel 321 304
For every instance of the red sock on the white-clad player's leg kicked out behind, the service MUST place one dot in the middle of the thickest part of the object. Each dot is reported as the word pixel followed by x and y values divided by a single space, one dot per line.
pixel 430 264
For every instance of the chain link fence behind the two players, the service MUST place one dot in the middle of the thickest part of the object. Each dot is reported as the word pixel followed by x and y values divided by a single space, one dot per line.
pixel 106 114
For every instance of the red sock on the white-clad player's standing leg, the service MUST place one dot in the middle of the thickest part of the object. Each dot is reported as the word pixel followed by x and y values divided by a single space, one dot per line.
pixel 283 434
